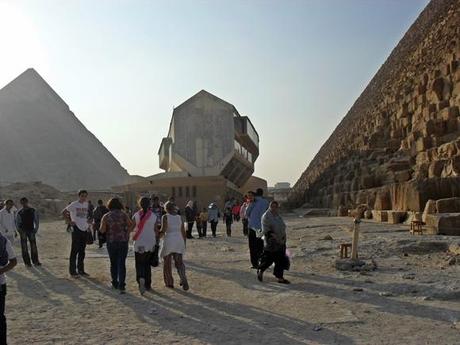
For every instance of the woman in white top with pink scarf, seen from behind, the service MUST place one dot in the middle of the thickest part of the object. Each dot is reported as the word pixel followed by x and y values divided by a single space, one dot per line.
pixel 144 243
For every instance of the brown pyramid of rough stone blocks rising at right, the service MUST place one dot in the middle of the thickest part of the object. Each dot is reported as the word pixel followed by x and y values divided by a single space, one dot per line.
pixel 399 145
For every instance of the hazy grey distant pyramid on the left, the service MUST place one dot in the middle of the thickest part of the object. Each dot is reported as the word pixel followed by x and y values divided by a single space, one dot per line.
pixel 42 140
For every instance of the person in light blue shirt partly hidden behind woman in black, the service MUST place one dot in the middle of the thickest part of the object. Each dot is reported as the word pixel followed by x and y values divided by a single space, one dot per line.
pixel 257 207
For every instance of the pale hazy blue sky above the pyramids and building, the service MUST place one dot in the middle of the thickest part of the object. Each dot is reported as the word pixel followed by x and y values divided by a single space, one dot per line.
pixel 294 67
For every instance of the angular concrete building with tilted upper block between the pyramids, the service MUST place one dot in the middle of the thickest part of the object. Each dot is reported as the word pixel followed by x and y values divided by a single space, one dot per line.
pixel 208 154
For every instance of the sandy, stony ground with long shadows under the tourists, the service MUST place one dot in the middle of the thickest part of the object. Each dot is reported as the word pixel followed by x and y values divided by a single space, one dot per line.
pixel 413 299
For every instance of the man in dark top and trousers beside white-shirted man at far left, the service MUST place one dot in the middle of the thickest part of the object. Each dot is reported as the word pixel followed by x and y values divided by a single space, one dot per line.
pixel 28 223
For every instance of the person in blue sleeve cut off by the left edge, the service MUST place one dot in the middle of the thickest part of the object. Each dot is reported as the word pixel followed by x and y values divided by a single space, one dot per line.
pixel 7 262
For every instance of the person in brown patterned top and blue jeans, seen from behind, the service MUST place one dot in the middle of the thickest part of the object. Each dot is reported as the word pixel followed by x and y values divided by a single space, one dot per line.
pixel 117 225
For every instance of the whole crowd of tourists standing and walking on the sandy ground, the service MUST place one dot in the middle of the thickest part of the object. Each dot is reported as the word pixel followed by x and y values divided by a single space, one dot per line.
pixel 158 231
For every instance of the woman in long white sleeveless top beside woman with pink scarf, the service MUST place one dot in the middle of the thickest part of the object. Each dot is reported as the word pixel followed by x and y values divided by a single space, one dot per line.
pixel 173 247
